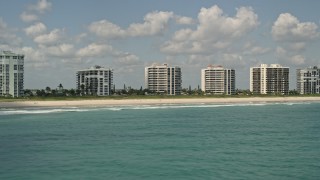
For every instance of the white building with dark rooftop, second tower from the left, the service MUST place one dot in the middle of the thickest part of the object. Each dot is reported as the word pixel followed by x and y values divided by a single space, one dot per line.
pixel 96 80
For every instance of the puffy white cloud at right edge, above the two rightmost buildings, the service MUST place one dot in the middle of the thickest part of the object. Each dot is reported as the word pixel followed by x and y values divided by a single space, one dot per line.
pixel 289 28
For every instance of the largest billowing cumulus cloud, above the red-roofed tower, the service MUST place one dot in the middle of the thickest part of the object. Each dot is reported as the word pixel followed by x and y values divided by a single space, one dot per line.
pixel 214 31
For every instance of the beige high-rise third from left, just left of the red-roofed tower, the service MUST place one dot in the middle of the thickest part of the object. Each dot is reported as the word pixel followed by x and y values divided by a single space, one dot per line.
pixel 163 79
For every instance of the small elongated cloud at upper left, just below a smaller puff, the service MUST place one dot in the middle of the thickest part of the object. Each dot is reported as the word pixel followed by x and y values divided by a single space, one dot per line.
pixel 54 37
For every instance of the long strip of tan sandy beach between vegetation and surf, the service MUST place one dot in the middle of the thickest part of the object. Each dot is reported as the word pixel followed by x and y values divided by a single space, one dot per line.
pixel 124 102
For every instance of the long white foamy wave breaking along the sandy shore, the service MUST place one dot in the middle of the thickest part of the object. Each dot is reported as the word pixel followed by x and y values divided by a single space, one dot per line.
pixel 131 107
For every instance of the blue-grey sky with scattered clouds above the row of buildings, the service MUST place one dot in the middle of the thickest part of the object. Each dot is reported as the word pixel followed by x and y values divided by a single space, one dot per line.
pixel 60 37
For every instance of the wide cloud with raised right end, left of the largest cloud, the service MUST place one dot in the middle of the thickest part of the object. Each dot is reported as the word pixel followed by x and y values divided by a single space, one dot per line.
pixel 154 24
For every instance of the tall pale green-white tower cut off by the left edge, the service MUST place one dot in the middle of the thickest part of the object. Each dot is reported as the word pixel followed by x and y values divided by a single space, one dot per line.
pixel 11 74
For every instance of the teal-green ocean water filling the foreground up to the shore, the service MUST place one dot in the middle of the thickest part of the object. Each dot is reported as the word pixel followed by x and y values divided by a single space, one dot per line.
pixel 201 141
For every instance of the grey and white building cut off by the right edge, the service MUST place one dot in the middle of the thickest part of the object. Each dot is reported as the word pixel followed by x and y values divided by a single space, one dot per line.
pixel 308 80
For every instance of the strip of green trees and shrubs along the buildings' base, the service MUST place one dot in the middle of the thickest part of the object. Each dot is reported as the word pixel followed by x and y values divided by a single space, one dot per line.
pixel 49 94
